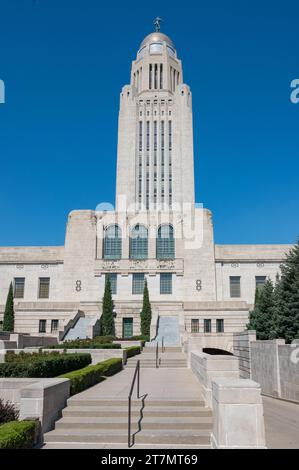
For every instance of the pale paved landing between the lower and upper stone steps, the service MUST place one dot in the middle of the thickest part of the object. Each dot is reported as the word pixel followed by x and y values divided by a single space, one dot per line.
pixel 157 383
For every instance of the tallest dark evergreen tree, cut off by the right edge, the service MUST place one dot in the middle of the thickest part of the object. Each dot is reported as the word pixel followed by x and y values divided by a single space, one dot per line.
pixel 287 299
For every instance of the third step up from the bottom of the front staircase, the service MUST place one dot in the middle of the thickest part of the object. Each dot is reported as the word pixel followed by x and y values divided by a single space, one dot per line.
pixel 109 423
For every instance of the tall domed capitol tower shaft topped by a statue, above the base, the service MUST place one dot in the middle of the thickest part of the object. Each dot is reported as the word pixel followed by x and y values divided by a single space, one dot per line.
pixel 155 134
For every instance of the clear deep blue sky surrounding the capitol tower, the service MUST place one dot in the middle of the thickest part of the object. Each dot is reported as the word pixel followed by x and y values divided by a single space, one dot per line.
pixel 64 63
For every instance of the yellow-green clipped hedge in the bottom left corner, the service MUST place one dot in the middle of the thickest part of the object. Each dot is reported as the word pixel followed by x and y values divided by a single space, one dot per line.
pixel 18 434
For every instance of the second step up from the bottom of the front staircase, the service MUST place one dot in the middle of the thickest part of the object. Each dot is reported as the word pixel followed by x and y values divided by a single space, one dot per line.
pixel 146 436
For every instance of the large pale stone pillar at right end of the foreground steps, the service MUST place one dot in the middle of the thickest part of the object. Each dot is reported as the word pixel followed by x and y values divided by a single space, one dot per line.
pixel 238 414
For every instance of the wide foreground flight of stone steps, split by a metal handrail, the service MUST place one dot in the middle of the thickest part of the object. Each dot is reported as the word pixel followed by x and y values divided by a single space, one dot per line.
pixel 104 423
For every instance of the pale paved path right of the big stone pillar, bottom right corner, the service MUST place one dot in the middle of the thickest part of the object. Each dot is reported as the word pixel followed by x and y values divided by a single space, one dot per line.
pixel 281 424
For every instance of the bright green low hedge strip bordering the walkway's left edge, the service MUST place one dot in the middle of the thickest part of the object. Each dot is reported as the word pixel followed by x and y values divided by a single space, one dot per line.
pixel 91 375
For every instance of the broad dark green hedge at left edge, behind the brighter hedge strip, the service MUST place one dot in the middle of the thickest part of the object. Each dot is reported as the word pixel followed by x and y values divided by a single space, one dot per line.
pixel 47 366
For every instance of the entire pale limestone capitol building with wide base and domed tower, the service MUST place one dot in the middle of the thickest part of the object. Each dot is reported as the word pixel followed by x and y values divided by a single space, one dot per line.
pixel 156 232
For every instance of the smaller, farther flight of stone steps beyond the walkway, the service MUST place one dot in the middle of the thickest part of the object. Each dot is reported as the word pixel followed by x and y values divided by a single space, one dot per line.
pixel 172 357
